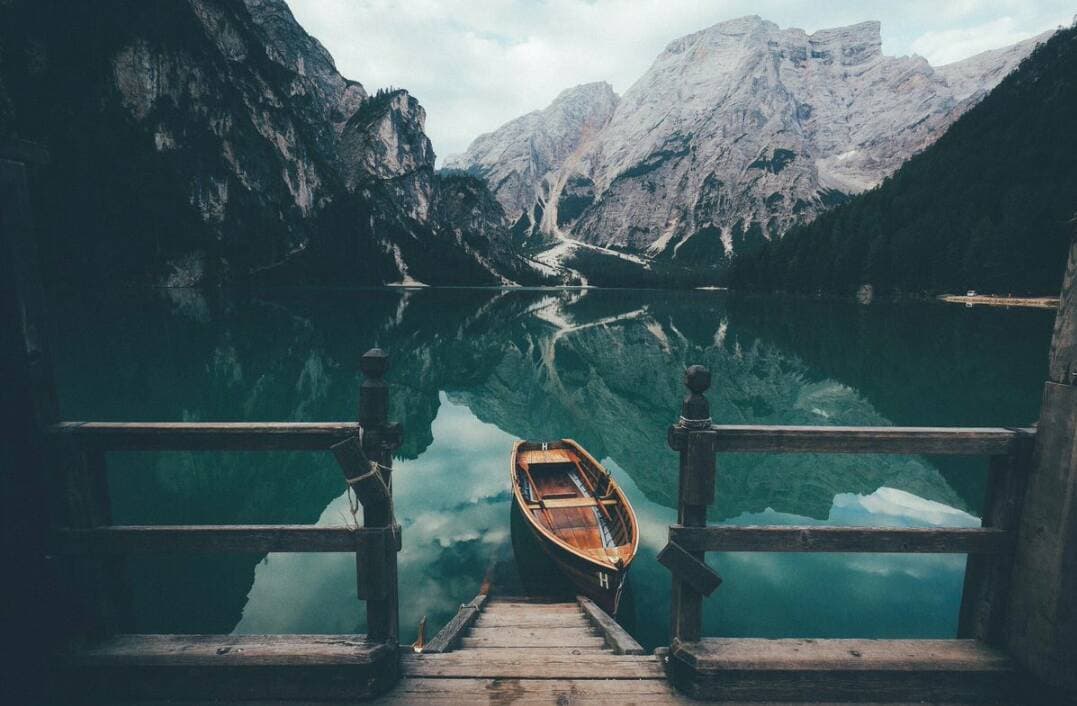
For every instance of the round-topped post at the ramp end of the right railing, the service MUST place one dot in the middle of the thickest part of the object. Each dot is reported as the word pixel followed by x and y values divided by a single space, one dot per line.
pixel 694 439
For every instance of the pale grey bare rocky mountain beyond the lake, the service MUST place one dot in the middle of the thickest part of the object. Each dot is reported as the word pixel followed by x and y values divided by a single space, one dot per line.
pixel 734 135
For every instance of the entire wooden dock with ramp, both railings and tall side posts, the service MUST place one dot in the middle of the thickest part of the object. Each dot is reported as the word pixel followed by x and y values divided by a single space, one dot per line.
pixel 1017 640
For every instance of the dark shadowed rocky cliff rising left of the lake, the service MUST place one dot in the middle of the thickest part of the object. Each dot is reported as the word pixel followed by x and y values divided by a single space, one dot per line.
pixel 208 142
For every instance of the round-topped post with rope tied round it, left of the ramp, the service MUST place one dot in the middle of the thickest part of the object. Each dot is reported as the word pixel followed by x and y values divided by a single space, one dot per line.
pixel 381 440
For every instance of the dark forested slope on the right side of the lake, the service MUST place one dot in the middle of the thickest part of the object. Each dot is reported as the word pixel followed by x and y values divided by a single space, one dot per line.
pixel 988 207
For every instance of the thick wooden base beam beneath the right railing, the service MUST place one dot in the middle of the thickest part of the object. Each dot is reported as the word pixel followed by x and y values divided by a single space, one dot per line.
pixel 789 670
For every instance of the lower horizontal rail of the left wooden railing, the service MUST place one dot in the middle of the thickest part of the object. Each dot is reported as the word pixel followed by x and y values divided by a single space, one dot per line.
pixel 179 540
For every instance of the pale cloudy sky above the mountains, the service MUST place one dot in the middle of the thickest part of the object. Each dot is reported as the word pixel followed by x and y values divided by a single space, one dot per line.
pixel 475 65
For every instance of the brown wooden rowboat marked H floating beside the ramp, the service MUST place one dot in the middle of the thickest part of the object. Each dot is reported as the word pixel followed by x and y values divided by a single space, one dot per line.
pixel 580 516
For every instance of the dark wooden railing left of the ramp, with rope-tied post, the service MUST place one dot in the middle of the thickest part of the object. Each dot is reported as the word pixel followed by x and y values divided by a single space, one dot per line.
pixel 363 449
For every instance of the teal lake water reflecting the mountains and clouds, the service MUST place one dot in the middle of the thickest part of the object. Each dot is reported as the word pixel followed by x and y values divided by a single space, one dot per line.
pixel 475 370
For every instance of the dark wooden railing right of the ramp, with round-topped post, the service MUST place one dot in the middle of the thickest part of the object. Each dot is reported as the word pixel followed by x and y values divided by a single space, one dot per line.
pixel 990 547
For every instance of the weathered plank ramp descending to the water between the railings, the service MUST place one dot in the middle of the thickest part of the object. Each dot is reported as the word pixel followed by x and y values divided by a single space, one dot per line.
pixel 523 651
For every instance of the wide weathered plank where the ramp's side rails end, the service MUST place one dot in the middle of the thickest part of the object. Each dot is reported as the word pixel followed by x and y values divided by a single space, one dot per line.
pixel 574 667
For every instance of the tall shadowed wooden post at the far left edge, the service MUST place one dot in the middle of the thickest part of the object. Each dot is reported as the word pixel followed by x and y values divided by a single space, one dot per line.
pixel 30 404
